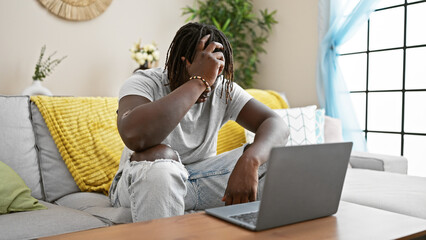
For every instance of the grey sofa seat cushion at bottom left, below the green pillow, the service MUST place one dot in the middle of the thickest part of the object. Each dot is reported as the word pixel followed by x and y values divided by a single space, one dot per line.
pixel 52 221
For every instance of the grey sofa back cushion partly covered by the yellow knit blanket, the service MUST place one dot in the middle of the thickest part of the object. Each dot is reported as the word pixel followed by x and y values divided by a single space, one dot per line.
pixel 57 180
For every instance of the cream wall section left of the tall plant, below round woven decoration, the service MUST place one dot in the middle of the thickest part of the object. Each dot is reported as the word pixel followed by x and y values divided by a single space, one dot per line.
pixel 98 50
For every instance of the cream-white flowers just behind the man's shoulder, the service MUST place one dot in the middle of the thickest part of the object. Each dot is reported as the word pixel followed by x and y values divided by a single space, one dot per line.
pixel 146 56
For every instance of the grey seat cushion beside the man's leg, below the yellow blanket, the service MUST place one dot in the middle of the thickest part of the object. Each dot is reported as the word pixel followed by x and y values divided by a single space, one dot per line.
pixel 97 205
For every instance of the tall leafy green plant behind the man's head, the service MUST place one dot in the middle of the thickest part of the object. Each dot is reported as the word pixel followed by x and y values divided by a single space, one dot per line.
pixel 246 32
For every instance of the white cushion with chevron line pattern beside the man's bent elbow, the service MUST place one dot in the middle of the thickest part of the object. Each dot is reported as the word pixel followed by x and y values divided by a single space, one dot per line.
pixel 301 123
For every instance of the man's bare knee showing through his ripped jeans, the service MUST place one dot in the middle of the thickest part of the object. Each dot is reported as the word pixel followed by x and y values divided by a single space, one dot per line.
pixel 160 151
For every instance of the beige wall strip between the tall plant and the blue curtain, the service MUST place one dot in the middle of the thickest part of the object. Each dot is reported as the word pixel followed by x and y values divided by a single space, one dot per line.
pixel 290 64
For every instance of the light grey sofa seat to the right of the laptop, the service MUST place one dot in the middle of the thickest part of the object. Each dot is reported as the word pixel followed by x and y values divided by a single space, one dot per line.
pixel 388 191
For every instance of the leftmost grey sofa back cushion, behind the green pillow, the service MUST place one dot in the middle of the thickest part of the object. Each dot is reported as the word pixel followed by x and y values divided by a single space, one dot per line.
pixel 17 141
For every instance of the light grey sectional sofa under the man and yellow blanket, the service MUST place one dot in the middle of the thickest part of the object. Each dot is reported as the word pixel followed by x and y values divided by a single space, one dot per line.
pixel 28 148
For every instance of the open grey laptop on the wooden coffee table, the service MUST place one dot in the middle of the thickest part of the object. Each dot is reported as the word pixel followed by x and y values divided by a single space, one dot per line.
pixel 302 183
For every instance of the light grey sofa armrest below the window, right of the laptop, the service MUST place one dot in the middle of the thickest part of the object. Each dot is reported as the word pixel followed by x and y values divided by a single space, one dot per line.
pixel 379 162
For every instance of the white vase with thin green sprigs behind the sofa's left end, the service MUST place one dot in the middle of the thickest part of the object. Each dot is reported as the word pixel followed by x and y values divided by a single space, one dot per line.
pixel 43 69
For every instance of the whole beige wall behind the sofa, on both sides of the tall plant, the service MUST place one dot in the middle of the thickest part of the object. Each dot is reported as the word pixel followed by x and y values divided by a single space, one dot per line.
pixel 98 60
